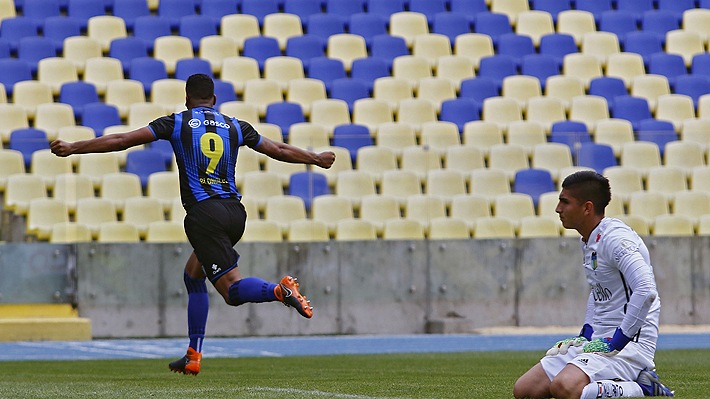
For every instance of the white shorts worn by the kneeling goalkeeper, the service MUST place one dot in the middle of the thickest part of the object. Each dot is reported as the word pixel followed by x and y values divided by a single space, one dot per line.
pixel 625 366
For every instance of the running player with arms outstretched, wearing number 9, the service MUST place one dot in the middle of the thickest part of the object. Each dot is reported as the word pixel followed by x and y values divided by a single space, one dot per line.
pixel 206 143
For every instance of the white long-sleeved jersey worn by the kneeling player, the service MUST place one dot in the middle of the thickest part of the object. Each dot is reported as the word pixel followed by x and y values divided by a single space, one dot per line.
pixel 623 287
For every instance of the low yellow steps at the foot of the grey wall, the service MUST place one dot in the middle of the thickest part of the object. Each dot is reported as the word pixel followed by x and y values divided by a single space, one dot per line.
pixel 42 322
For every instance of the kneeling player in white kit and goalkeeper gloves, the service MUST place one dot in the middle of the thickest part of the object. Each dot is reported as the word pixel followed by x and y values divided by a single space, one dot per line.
pixel 613 355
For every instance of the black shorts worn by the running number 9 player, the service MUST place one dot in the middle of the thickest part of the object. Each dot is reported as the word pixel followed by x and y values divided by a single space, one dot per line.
pixel 213 227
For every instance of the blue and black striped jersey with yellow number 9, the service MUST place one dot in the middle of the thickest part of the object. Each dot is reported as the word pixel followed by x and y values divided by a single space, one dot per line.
pixel 206 144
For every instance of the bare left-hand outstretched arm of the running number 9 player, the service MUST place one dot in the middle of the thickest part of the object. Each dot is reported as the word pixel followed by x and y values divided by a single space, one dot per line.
pixel 111 142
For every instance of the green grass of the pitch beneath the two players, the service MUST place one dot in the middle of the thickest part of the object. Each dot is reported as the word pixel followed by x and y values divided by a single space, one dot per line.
pixel 468 375
